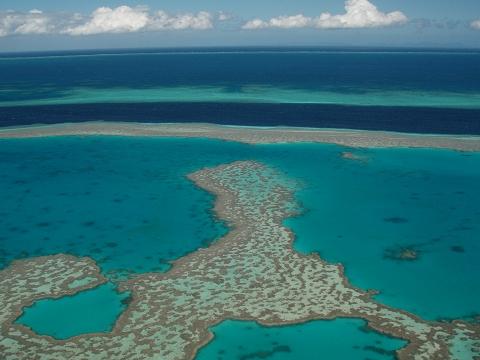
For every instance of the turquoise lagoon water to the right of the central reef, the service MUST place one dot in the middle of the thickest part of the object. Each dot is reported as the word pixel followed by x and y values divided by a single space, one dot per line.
pixel 360 213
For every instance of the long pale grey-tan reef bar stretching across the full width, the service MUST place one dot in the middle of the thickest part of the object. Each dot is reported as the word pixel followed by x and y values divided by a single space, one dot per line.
pixel 250 135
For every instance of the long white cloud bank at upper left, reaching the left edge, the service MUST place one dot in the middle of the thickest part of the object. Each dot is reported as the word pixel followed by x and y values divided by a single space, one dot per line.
pixel 122 19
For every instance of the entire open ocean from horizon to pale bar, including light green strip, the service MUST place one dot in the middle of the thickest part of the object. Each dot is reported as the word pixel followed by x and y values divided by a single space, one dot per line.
pixel 408 90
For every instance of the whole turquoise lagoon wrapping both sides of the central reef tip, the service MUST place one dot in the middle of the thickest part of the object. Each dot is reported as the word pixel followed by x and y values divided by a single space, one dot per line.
pixel 126 203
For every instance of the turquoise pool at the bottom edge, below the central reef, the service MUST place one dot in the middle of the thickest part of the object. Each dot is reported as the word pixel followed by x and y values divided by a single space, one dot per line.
pixel 339 339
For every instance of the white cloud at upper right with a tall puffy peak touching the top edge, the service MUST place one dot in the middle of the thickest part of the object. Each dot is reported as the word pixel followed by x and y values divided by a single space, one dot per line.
pixel 358 14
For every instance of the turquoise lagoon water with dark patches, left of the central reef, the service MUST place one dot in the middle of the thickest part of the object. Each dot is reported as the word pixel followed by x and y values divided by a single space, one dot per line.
pixel 126 203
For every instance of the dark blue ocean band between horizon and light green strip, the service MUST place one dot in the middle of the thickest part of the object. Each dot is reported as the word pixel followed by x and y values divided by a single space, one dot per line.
pixel 311 69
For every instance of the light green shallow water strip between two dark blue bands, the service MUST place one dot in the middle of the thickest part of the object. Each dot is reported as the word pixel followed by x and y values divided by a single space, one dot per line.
pixel 253 94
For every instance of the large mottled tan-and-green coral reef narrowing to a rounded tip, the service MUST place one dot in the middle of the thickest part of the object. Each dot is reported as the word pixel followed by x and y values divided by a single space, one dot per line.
pixel 252 273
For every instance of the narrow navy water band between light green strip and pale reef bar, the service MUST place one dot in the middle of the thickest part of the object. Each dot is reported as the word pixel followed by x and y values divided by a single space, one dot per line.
pixel 402 119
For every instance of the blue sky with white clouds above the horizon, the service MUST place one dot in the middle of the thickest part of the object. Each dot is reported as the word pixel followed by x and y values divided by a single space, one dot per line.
pixel 32 25
